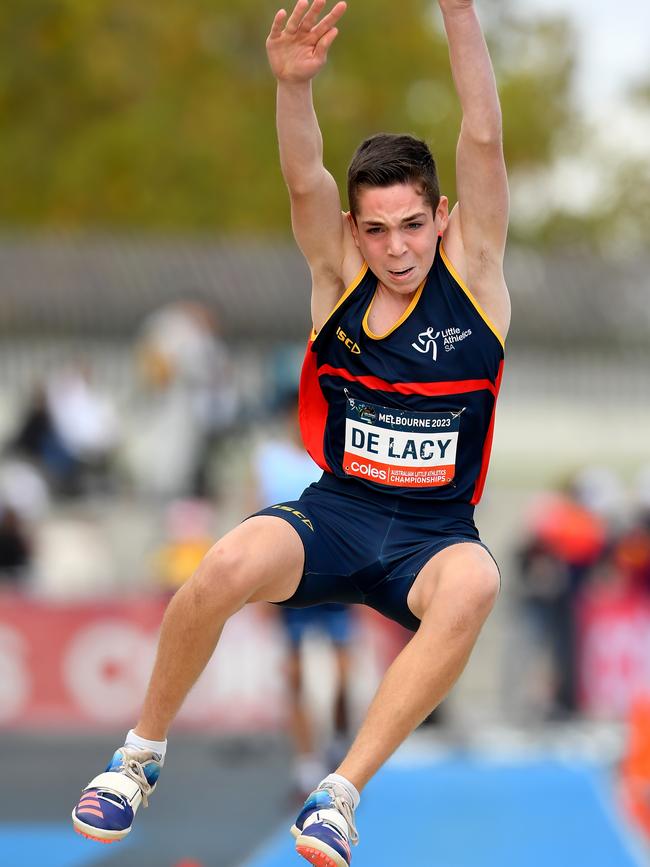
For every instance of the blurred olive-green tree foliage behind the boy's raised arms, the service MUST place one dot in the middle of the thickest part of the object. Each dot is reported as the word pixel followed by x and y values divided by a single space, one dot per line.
pixel 116 114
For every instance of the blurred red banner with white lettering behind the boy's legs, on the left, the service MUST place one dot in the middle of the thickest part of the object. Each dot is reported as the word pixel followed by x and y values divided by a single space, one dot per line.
pixel 72 665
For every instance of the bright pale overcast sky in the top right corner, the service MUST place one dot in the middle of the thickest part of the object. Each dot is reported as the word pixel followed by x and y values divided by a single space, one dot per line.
pixel 615 42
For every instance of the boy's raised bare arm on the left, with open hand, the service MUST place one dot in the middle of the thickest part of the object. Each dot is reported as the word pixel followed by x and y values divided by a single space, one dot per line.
pixel 297 49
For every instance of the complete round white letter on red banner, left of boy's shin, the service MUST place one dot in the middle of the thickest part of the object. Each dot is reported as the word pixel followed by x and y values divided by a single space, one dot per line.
pixel 106 668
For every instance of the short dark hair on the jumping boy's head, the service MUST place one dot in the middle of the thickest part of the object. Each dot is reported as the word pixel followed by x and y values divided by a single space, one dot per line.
pixel 386 159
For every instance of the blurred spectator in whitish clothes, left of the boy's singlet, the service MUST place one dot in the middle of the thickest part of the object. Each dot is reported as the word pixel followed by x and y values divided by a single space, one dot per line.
pixel 191 403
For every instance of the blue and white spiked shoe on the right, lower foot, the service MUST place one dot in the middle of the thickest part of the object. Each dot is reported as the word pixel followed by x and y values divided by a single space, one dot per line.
pixel 325 827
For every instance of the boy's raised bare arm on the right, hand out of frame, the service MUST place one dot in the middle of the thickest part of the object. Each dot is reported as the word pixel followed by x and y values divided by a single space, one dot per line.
pixel 476 235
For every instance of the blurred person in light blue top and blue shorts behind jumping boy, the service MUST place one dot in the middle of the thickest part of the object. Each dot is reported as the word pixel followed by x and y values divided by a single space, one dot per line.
pixel 282 469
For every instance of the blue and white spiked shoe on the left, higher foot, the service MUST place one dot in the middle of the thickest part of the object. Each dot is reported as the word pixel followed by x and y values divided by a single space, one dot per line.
pixel 108 804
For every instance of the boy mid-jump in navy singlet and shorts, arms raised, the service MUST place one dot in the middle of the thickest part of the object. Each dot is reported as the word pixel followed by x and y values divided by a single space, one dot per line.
pixel 398 392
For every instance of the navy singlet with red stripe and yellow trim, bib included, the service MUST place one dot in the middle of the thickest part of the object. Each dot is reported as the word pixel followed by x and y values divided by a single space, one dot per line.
pixel 411 411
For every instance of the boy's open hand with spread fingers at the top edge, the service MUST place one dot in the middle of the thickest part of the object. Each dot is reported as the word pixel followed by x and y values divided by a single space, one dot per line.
pixel 297 46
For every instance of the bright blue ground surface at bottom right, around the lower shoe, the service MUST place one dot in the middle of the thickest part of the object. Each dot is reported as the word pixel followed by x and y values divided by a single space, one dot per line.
pixel 473 813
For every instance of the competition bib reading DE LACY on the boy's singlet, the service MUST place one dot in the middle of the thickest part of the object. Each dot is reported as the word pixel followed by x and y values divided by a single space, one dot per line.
pixel 400 448
